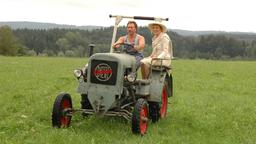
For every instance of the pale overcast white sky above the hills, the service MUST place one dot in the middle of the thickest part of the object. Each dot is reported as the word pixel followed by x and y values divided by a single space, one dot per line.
pixel 219 15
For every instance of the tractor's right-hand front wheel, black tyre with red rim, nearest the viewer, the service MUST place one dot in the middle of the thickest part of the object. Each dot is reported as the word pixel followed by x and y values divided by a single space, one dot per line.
pixel 140 117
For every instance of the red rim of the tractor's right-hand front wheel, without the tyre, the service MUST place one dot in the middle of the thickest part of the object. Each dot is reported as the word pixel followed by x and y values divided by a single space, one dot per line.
pixel 143 120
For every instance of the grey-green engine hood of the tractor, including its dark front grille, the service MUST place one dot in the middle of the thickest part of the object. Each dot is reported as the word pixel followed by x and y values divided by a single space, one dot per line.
pixel 105 79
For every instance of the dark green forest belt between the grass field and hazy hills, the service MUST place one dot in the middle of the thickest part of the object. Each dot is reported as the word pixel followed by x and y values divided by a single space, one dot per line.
pixel 74 43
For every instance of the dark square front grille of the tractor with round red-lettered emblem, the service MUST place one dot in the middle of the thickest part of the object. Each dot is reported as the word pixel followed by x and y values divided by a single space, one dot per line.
pixel 103 72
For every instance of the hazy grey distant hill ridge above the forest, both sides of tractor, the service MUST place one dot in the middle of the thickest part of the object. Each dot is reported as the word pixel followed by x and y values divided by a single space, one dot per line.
pixel 38 25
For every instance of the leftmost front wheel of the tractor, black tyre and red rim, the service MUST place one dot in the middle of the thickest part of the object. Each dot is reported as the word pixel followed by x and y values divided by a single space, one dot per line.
pixel 61 111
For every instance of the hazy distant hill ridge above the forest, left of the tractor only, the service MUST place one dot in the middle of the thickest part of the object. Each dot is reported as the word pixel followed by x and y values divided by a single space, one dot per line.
pixel 39 25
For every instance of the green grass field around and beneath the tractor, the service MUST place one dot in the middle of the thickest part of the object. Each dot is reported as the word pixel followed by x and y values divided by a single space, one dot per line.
pixel 214 103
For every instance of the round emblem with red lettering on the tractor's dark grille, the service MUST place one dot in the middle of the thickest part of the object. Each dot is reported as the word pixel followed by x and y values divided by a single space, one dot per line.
pixel 103 72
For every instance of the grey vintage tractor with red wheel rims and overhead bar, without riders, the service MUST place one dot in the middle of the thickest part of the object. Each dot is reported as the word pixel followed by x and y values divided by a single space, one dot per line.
pixel 109 86
